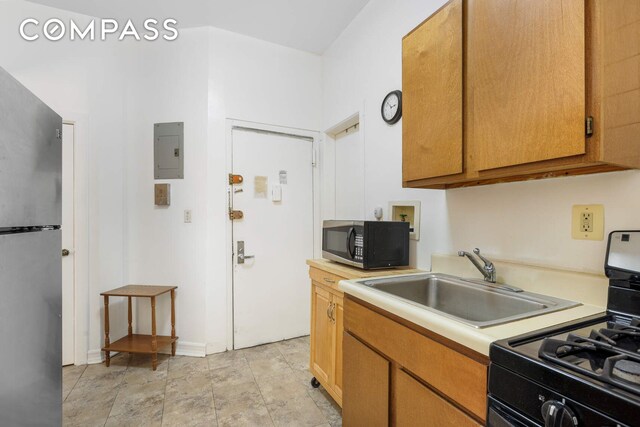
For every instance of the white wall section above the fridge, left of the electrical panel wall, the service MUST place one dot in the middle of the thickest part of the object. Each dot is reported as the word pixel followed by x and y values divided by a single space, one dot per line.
pixel 79 84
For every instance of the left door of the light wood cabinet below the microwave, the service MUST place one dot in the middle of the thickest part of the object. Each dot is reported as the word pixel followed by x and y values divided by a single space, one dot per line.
pixel 322 331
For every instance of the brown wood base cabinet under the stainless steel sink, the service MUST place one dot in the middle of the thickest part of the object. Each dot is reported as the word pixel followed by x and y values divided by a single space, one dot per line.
pixel 401 374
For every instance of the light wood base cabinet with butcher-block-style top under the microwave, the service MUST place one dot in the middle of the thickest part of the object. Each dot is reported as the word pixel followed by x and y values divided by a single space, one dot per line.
pixel 327 320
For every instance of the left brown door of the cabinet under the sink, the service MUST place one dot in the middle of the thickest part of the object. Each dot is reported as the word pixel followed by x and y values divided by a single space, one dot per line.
pixel 365 399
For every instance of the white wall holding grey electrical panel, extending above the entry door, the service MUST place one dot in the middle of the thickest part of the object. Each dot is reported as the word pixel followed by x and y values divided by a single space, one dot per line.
pixel 206 77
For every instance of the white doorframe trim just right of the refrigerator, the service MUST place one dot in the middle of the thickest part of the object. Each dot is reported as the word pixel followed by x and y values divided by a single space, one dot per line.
pixel 80 123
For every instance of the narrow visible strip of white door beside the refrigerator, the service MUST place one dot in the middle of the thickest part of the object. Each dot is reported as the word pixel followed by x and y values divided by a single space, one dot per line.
pixel 68 279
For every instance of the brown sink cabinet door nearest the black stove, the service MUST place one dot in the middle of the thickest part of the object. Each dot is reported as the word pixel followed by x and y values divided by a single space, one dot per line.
pixel 416 404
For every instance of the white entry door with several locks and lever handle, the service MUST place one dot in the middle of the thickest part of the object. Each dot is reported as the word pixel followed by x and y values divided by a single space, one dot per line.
pixel 271 290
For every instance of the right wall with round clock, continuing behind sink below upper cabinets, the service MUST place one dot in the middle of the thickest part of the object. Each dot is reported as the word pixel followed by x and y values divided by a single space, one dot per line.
pixel 523 221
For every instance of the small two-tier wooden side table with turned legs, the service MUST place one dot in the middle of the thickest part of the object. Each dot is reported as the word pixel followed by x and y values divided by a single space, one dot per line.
pixel 136 343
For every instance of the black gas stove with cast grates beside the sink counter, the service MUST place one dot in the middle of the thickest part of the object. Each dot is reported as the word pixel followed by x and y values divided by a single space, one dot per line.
pixel 581 373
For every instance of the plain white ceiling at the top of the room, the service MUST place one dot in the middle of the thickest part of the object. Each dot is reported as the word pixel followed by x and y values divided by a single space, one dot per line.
pixel 309 25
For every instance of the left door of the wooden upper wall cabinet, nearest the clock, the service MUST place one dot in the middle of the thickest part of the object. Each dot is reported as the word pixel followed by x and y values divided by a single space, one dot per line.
pixel 432 96
